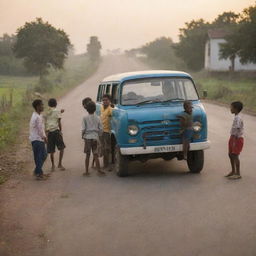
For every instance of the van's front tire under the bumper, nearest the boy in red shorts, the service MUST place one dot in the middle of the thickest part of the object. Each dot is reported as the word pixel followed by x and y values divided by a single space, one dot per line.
pixel 195 161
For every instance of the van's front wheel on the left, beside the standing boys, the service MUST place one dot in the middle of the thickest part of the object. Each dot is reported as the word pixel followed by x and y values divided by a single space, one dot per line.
pixel 121 163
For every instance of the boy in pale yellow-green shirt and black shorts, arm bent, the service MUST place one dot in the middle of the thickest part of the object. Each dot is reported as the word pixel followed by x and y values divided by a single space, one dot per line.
pixel 54 133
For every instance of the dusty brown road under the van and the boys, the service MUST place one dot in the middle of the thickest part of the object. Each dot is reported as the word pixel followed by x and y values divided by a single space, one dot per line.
pixel 162 210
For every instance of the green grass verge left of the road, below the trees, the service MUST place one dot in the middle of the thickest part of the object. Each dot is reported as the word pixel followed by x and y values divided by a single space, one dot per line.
pixel 56 84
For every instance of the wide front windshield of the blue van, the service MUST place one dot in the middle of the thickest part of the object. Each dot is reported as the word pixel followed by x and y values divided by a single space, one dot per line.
pixel 157 90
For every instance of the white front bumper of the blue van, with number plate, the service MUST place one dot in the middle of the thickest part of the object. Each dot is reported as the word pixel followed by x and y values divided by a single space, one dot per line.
pixel 163 149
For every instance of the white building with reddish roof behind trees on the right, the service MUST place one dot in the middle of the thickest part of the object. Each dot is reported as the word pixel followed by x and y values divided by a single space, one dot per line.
pixel 212 52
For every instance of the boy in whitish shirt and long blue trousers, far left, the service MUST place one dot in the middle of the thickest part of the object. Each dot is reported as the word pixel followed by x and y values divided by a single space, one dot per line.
pixel 38 138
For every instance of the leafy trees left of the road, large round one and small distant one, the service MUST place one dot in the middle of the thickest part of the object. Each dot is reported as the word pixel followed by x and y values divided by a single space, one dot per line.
pixel 38 47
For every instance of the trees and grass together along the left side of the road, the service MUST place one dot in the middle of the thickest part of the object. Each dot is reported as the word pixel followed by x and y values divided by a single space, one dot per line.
pixel 26 75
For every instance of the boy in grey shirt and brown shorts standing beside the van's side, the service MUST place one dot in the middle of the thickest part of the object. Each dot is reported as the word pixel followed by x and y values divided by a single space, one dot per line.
pixel 91 130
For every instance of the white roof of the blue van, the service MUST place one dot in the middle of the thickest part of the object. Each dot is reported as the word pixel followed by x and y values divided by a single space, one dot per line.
pixel 144 74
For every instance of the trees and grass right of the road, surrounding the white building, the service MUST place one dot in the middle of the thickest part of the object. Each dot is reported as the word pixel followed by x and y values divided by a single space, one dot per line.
pixel 188 55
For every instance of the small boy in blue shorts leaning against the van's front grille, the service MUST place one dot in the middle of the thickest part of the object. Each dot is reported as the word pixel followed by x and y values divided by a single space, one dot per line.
pixel 186 121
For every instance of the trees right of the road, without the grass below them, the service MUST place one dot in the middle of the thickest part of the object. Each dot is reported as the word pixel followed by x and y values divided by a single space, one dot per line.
pixel 189 51
